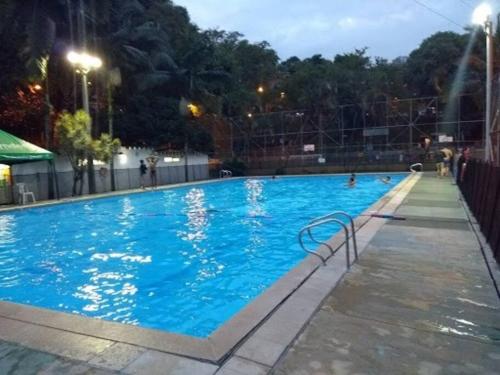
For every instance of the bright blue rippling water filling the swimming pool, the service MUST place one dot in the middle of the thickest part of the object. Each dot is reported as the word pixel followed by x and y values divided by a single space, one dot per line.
pixel 183 260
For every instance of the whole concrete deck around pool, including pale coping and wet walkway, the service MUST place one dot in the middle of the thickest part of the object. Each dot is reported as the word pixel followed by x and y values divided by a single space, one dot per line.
pixel 379 307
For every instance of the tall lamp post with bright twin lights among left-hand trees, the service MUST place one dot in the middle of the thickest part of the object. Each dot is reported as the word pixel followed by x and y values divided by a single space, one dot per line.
pixel 84 63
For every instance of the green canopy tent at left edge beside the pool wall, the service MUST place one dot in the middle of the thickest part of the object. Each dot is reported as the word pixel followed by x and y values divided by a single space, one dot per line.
pixel 14 150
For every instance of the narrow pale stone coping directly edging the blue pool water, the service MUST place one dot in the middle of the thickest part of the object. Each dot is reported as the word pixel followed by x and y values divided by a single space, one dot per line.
pixel 223 341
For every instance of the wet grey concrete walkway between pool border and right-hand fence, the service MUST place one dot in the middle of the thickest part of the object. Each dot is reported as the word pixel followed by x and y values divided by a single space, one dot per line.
pixel 420 300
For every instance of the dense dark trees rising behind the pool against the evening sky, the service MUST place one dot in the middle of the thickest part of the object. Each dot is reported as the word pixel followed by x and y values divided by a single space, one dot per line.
pixel 163 59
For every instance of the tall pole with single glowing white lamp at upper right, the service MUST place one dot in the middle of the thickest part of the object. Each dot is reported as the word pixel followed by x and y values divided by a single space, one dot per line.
pixel 482 17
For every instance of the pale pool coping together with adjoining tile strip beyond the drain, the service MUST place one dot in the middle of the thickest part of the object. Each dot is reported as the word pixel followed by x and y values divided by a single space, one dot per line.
pixel 270 321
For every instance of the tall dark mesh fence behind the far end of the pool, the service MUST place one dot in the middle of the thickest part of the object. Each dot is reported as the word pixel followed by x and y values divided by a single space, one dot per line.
pixel 384 129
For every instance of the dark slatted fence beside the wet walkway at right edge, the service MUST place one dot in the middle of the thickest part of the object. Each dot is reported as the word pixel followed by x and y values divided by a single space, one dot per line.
pixel 481 189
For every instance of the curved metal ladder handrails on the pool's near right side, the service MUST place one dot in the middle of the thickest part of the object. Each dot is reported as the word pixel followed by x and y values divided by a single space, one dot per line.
pixel 330 218
